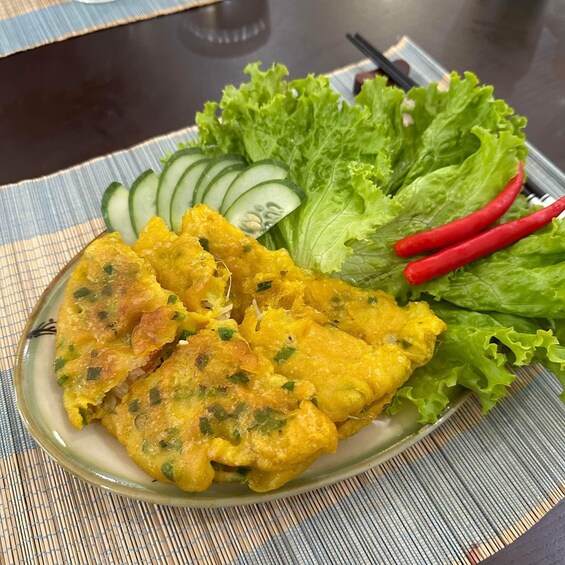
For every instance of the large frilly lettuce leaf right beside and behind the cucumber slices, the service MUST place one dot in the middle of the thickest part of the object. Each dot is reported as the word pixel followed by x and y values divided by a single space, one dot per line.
pixel 336 153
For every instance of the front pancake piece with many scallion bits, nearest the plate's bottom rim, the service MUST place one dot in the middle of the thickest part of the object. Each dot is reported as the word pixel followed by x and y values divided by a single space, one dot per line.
pixel 214 409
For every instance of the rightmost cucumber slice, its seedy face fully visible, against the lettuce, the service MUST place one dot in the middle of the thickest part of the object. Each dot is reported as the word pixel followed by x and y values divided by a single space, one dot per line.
pixel 262 206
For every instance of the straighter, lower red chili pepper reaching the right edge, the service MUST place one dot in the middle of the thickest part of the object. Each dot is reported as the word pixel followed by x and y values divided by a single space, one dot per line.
pixel 474 248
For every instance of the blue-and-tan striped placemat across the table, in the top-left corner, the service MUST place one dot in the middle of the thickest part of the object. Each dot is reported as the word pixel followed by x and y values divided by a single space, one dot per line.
pixel 25 24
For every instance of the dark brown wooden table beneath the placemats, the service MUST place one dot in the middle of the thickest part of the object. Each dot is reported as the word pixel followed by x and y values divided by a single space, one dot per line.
pixel 68 102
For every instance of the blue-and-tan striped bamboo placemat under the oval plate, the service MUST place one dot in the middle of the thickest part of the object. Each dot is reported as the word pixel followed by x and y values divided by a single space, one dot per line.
pixel 461 494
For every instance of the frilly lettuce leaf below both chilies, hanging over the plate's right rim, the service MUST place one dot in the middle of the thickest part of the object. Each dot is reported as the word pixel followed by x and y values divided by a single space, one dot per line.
pixel 474 353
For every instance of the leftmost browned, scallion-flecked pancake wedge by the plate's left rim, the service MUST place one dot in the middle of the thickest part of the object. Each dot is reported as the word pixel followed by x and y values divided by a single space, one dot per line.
pixel 114 320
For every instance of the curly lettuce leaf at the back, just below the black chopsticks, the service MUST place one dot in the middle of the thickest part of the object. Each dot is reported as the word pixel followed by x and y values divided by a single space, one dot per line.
pixel 431 127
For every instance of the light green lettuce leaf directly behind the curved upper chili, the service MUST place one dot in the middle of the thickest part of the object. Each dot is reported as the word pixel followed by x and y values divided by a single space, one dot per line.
pixel 430 201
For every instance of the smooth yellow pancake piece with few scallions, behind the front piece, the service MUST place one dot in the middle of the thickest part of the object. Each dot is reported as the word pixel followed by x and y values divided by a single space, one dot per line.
pixel 348 373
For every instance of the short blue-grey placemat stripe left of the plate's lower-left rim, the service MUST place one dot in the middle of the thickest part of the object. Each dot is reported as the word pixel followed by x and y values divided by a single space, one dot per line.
pixel 14 437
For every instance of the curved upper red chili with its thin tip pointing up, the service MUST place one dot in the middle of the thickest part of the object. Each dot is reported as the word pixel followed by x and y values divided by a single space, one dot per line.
pixel 465 227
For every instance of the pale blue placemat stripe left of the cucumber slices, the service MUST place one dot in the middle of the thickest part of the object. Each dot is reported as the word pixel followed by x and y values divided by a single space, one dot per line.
pixel 73 196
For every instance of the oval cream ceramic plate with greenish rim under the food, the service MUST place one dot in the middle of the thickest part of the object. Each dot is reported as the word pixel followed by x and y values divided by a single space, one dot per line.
pixel 96 457
